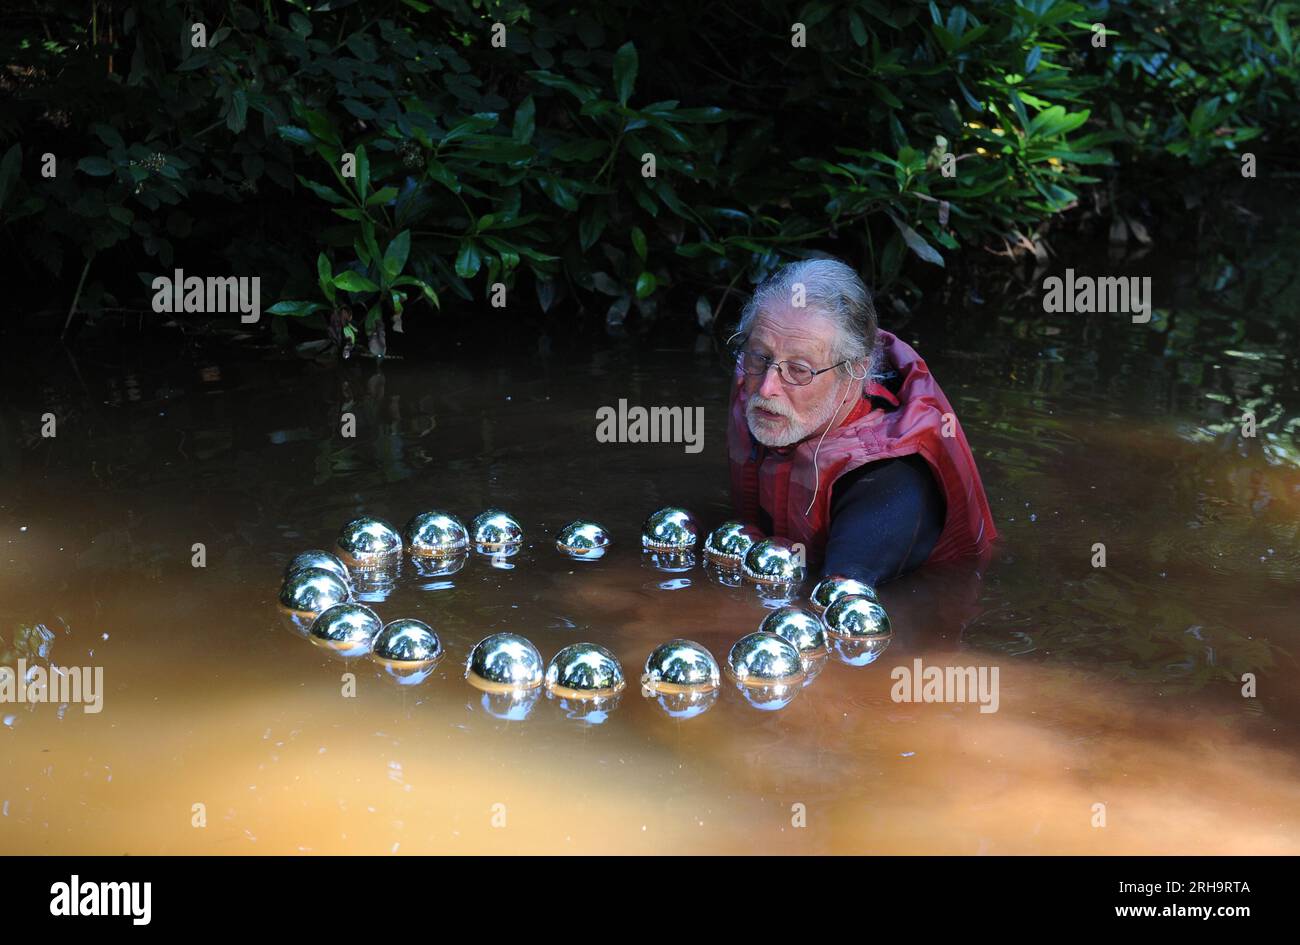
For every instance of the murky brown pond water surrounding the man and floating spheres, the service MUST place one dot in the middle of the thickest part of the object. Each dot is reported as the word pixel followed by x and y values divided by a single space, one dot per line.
pixel 1119 687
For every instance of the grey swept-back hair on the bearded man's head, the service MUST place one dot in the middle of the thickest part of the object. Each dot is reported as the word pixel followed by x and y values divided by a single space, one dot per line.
pixel 834 291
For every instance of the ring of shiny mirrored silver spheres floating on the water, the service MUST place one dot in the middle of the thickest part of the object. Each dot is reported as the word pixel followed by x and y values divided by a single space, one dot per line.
pixel 770 666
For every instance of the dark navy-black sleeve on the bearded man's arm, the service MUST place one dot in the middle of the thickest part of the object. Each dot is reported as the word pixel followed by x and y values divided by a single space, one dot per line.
pixel 886 519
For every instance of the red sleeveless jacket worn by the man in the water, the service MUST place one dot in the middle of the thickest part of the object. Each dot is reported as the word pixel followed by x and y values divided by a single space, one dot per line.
pixel 782 480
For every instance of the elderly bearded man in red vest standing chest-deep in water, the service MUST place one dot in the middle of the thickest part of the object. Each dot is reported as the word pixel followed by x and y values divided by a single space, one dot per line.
pixel 840 439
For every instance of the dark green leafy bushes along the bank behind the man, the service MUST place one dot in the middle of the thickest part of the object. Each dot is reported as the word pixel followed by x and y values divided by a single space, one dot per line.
pixel 411 159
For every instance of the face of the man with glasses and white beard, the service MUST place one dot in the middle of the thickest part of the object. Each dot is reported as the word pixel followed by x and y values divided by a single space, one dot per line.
pixel 781 414
